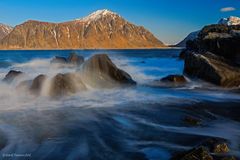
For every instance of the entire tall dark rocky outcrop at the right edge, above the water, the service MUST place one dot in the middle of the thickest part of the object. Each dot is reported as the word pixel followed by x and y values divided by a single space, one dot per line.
pixel 214 55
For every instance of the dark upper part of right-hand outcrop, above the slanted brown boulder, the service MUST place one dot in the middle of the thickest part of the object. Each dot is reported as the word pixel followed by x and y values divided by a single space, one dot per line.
pixel 221 40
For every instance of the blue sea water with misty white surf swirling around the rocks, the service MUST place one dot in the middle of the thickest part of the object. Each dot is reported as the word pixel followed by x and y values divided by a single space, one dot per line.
pixel 142 122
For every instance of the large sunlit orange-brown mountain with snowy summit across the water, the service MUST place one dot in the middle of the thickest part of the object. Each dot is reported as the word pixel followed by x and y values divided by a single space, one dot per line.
pixel 101 29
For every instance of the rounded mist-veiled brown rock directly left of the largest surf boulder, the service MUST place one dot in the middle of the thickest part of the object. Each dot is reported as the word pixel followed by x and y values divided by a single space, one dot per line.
pixel 65 84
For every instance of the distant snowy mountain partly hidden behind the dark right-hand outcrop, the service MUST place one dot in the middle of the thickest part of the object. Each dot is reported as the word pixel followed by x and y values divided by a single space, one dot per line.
pixel 232 20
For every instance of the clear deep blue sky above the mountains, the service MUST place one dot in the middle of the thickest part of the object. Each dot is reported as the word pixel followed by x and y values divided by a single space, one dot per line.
pixel 169 20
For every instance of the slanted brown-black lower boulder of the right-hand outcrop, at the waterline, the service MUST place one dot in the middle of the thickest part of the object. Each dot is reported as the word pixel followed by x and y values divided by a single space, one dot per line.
pixel 212 68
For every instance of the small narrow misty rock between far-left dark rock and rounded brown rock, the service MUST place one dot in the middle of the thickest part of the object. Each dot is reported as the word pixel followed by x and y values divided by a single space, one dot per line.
pixel 37 84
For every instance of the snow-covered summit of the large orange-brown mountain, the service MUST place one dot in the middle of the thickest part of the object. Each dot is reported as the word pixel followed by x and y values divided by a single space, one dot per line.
pixel 99 14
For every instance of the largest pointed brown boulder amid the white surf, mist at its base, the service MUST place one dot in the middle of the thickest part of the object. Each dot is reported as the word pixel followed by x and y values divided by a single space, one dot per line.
pixel 100 71
